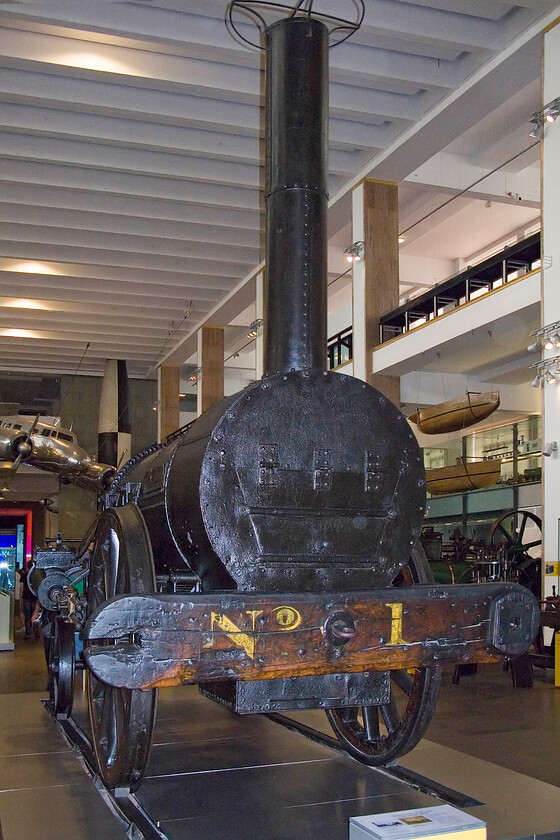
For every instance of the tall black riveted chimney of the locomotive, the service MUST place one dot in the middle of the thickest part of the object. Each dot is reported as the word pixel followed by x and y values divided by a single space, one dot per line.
pixel 296 194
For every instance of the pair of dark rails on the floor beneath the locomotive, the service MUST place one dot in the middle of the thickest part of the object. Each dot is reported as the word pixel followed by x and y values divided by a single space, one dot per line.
pixel 139 825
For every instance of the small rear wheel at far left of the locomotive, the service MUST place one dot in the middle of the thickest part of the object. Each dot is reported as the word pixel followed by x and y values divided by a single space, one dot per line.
pixel 61 665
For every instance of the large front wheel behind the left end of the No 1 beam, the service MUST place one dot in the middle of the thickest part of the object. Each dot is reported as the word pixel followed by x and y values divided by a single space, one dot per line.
pixel 121 720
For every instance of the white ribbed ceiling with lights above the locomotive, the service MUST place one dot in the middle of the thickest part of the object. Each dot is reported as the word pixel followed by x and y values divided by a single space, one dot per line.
pixel 130 135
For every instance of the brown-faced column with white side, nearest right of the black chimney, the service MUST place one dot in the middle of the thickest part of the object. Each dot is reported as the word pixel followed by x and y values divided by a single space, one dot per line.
pixel 375 281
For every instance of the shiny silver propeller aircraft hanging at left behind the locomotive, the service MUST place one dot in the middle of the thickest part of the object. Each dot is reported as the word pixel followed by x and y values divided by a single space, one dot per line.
pixel 50 447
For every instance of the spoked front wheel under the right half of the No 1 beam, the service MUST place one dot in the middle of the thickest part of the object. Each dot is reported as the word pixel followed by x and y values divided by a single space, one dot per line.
pixel 377 735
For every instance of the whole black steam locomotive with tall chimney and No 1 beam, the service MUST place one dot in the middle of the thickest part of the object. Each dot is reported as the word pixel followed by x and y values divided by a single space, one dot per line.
pixel 270 551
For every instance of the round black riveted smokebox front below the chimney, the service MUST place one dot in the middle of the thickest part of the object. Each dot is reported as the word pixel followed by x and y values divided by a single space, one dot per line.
pixel 312 481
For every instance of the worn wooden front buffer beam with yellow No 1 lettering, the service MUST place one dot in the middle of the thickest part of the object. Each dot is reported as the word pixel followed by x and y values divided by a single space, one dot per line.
pixel 148 641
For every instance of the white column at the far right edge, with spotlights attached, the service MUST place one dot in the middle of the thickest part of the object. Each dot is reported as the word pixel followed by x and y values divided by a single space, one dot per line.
pixel 551 309
